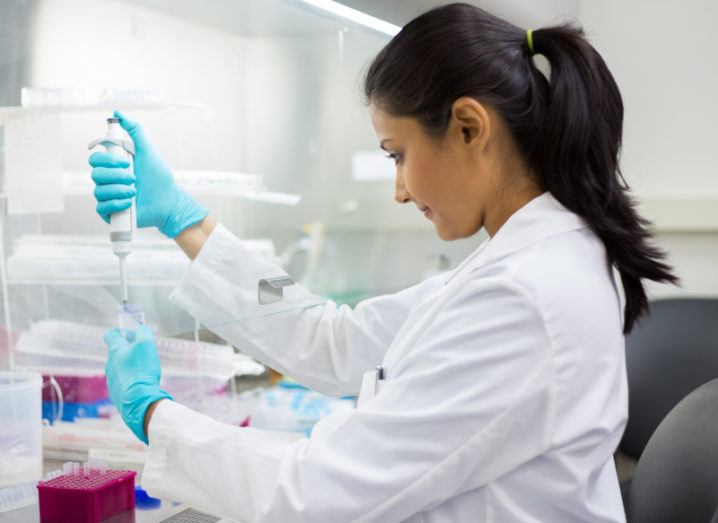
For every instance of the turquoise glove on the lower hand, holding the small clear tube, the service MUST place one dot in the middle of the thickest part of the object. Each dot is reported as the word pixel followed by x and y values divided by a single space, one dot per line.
pixel 133 375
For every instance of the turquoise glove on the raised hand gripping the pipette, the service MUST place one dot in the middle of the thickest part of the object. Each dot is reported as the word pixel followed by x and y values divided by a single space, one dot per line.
pixel 160 202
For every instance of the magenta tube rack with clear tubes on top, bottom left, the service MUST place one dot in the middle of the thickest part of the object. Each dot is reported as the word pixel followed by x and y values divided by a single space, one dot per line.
pixel 87 493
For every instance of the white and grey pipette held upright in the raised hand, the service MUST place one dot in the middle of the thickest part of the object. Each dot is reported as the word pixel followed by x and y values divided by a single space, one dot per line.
pixel 122 223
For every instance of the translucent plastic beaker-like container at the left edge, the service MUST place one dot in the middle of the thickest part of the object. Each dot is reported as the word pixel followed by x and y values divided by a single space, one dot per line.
pixel 20 427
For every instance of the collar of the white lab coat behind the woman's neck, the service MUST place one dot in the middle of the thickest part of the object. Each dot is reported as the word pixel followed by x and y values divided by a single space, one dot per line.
pixel 541 218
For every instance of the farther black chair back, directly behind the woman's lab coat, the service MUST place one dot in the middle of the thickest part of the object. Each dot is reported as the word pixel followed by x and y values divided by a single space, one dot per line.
pixel 668 354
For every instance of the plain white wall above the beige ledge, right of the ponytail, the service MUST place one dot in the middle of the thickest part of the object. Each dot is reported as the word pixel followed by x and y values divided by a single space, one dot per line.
pixel 664 58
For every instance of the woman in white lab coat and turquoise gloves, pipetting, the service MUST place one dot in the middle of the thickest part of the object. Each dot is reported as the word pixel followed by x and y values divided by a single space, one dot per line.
pixel 501 392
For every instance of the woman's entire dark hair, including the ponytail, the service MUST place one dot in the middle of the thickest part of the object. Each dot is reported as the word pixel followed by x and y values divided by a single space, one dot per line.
pixel 567 130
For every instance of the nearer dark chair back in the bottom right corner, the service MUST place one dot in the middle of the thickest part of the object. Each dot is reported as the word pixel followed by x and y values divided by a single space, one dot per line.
pixel 676 479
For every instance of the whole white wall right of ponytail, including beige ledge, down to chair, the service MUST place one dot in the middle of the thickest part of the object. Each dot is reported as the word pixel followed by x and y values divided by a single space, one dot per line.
pixel 664 58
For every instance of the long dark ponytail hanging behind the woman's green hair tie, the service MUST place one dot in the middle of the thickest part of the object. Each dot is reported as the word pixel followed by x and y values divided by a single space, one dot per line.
pixel 577 159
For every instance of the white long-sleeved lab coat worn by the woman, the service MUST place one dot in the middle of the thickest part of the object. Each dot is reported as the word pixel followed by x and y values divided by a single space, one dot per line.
pixel 503 401
